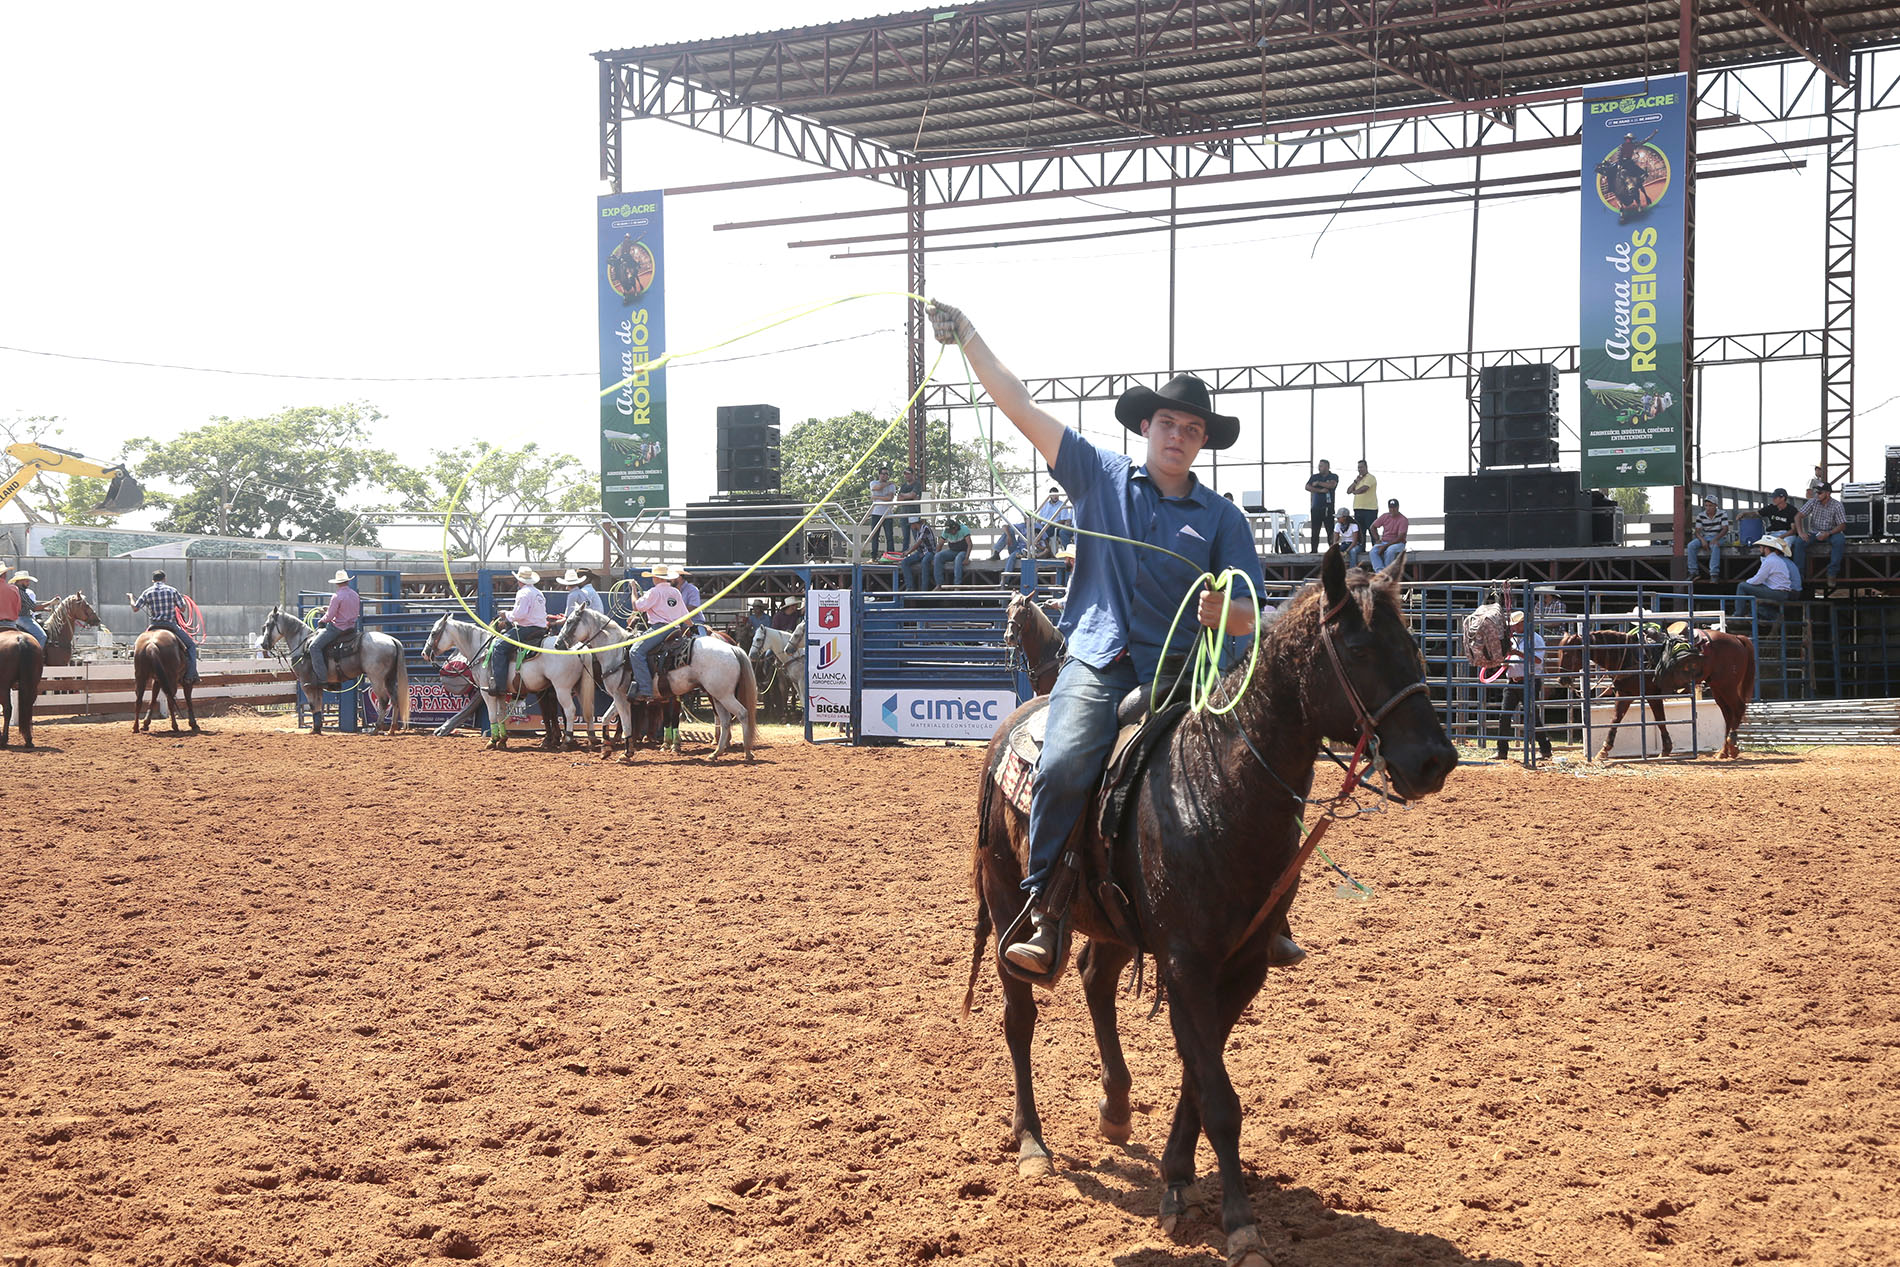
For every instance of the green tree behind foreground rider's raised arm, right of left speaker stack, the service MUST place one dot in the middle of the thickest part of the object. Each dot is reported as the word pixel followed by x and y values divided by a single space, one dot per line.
pixel 818 451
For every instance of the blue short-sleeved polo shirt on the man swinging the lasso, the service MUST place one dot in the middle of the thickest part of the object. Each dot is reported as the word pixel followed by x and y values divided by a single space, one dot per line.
pixel 1124 597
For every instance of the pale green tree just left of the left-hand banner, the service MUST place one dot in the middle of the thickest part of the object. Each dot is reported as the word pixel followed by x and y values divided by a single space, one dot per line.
pixel 499 483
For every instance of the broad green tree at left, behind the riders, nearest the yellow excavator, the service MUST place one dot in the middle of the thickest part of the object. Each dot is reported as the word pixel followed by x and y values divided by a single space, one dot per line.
pixel 278 478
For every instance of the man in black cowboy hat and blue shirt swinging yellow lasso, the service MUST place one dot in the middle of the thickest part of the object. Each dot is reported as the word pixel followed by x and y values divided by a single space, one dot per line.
pixel 1122 597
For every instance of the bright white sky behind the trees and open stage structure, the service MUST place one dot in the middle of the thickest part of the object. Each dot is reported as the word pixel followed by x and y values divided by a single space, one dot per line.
pixel 400 191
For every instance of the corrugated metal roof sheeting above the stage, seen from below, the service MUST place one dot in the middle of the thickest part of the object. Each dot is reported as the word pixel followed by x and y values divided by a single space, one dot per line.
pixel 1014 73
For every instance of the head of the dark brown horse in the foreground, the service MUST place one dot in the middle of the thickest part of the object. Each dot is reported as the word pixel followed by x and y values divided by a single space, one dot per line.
pixel 1371 675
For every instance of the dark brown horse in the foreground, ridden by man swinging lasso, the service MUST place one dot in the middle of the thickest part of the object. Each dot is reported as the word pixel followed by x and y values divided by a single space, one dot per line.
pixel 1209 835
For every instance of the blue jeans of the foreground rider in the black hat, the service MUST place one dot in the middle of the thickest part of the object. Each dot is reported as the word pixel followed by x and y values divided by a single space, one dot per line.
pixel 1082 730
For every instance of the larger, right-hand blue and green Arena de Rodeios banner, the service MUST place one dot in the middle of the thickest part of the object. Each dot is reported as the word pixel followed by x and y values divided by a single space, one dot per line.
pixel 1635 162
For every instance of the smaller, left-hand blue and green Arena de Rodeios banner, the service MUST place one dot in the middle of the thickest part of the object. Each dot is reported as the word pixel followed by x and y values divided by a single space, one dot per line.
pixel 634 330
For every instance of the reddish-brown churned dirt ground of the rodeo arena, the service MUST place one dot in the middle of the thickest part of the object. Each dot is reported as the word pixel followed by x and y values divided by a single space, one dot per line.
pixel 288 1000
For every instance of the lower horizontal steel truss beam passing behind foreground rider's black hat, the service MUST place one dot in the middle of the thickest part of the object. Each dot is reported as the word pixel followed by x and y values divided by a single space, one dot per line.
pixel 1369 371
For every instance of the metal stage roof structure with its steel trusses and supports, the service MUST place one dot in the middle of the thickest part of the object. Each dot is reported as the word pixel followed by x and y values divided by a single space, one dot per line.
pixel 1023 102
